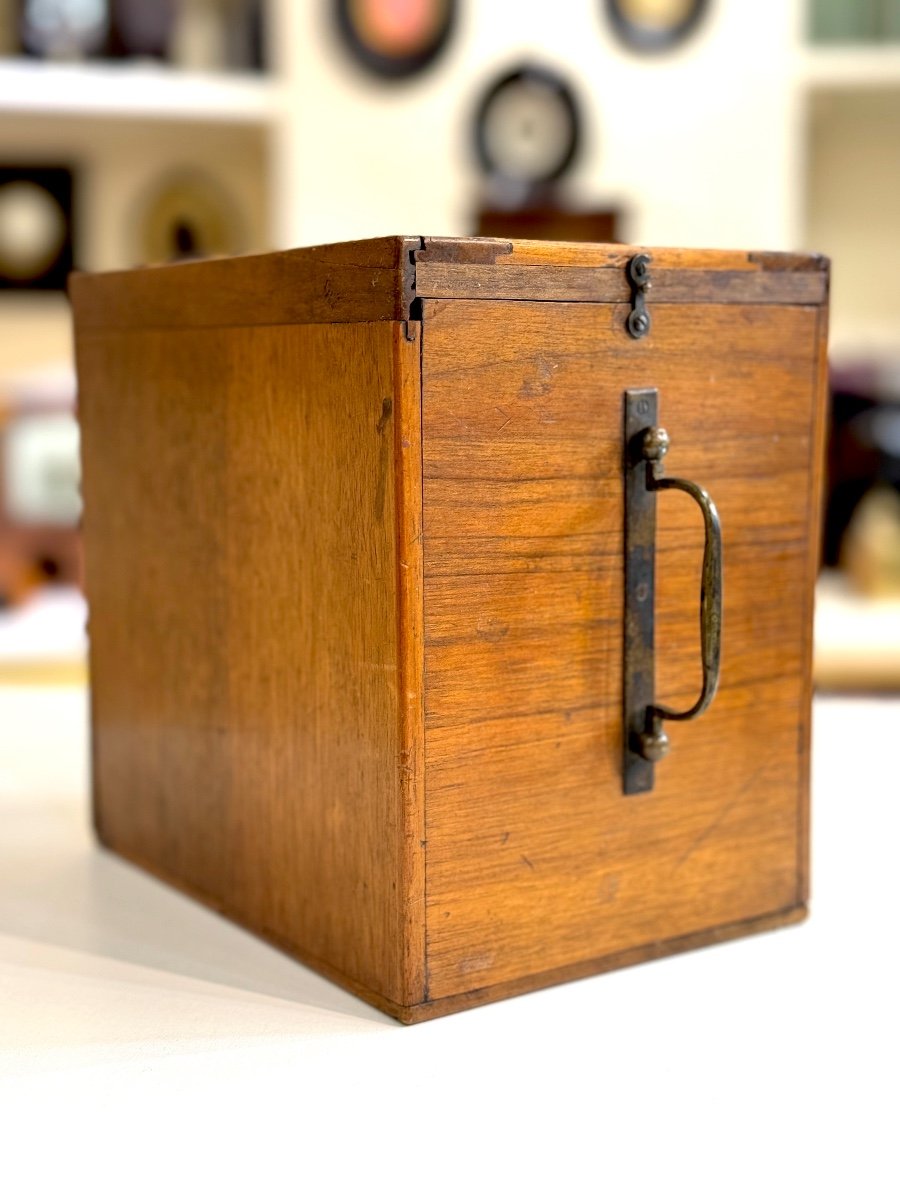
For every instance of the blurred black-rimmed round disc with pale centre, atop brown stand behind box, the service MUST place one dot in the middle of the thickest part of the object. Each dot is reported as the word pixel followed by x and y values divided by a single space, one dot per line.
pixel 527 129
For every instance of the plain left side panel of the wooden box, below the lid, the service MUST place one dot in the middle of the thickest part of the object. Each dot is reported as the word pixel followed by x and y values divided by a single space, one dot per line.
pixel 244 584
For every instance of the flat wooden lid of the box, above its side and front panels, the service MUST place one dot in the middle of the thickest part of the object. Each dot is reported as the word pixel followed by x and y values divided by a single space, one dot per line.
pixel 382 279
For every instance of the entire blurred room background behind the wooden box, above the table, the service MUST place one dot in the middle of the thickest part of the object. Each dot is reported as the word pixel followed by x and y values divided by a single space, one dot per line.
pixel 136 131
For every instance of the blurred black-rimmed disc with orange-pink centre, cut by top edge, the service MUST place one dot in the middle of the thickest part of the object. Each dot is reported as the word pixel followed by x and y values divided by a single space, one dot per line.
pixel 395 39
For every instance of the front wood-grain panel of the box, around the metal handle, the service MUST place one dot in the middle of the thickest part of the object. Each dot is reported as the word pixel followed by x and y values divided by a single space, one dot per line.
pixel 536 860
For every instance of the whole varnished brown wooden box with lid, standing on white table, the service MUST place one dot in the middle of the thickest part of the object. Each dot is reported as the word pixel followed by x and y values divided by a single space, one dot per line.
pixel 356 560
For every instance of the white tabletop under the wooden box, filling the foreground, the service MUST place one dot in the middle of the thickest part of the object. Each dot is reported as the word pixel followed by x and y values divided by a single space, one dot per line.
pixel 148 1048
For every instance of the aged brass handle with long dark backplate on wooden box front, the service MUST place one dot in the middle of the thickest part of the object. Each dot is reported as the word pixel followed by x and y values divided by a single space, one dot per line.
pixel 646 742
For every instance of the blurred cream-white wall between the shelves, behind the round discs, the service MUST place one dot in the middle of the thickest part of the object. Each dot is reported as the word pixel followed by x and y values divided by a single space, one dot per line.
pixel 699 146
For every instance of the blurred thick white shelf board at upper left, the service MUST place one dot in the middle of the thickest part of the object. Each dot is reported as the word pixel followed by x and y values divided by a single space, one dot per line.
pixel 146 92
